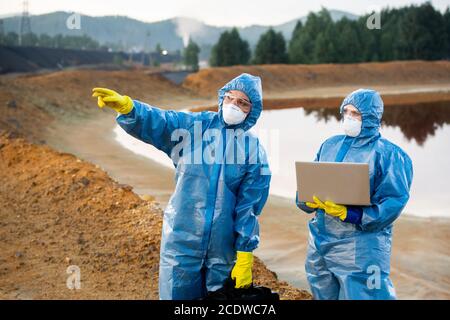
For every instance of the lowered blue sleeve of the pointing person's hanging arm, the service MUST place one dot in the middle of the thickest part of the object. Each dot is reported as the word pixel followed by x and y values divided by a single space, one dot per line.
pixel 251 198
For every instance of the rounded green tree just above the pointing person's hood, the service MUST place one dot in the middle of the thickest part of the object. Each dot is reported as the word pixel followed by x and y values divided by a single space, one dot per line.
pixel 230 50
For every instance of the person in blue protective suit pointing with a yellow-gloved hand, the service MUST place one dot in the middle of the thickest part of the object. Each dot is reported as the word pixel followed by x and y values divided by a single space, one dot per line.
pixel 210 225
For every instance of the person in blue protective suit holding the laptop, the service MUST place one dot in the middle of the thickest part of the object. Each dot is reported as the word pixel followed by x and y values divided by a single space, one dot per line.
pixel 349 247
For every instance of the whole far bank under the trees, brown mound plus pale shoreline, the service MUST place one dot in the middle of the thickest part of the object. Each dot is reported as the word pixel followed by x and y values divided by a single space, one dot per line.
pixel 324 85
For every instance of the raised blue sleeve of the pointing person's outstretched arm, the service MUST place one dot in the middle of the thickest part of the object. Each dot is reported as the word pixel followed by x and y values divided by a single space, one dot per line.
pixel 155 126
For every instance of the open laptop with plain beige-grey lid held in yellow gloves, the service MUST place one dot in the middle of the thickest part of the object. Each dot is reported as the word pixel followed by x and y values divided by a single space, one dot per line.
pixel 344 183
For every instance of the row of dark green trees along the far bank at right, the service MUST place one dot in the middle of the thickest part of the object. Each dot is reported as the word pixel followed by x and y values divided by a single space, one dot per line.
pixel 408 33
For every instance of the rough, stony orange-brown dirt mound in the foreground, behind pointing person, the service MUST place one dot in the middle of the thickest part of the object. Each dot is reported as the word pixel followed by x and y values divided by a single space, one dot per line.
pixel 59 211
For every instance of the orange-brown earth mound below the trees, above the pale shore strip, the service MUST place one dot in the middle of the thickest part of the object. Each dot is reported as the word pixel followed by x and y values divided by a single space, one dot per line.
pixel 296 77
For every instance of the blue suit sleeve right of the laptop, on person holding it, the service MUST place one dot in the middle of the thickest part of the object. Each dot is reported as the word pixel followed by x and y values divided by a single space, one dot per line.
pixel 391 194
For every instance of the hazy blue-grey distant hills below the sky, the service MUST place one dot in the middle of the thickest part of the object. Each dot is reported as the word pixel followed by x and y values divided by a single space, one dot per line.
pixel 131 33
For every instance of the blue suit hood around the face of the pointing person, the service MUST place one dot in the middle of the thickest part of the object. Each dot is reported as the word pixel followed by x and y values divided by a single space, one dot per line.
pixel 251 86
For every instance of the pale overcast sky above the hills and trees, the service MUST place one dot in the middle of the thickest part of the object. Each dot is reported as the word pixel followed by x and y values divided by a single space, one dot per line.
pixel 212 12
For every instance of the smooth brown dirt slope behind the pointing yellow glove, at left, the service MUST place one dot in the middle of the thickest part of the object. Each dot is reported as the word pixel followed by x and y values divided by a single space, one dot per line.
pixel 30 103
